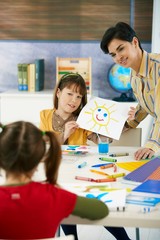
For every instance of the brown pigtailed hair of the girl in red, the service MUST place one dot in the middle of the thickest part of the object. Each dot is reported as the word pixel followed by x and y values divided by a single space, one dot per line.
pixel 23 147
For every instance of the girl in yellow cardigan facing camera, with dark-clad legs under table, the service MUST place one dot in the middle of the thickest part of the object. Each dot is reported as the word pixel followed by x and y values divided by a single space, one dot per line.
pixel 70 97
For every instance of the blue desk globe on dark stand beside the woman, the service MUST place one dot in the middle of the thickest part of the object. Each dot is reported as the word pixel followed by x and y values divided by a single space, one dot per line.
pixel 119 80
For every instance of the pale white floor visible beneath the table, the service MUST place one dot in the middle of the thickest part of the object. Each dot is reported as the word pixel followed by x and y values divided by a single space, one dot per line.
pixel 99 233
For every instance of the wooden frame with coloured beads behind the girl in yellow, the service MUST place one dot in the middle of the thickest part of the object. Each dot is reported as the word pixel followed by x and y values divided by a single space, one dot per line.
pixel 75 65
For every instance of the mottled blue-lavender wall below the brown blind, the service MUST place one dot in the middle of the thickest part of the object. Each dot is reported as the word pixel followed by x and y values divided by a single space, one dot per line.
pixel 14 52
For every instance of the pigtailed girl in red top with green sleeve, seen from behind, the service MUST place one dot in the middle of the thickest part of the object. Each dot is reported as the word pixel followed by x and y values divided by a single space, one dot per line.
pixel 34 210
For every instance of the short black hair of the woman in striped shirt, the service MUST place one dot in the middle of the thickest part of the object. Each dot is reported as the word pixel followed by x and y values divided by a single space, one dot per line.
pixel 121 31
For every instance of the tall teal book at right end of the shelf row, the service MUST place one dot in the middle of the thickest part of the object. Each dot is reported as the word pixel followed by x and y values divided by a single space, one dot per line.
pixel 39 80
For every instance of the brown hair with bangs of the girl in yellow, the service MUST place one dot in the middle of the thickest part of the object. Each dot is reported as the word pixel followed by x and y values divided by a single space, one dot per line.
pixel 76 81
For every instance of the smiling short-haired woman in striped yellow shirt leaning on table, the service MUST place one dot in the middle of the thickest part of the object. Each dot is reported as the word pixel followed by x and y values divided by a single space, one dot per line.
pixel 123 44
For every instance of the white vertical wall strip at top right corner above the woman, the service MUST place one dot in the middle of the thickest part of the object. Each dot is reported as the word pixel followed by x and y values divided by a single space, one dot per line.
pixel 156 27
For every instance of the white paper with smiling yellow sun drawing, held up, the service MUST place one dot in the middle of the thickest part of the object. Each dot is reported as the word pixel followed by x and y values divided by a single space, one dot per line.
pixel 104 117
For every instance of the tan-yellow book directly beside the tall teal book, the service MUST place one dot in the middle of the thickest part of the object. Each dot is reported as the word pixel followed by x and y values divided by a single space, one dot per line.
pixel 31 77
